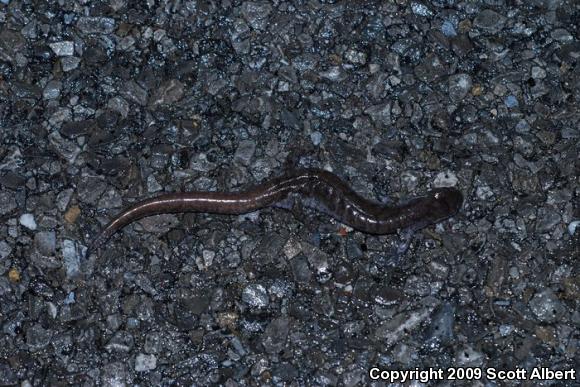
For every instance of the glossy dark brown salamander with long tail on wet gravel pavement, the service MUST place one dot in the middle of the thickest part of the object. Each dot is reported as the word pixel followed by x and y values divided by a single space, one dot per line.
pixel 312 188
